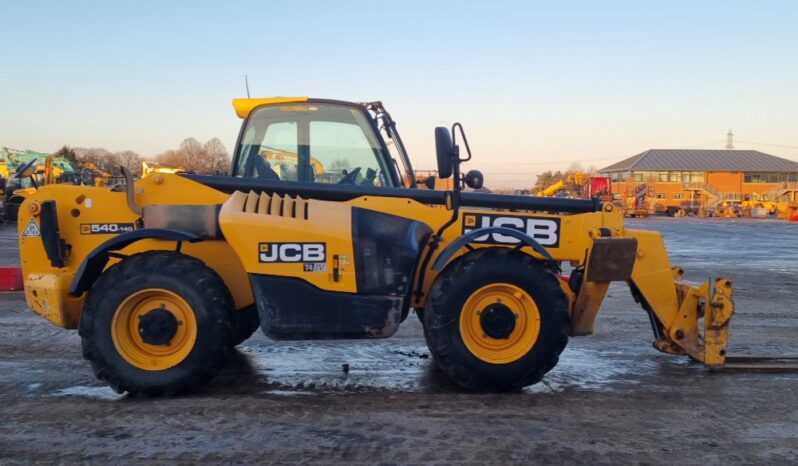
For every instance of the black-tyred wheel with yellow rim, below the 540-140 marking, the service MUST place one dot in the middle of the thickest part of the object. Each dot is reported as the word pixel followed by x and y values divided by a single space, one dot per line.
pixel 157 323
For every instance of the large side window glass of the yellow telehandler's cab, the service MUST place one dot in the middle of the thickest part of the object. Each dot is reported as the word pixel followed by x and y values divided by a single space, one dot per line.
pixel 313 143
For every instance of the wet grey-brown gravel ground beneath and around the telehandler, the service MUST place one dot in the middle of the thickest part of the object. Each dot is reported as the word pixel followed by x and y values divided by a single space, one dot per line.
pixel 613 398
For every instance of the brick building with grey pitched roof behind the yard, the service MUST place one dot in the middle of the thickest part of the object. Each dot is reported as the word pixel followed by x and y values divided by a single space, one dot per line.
pixel 714 176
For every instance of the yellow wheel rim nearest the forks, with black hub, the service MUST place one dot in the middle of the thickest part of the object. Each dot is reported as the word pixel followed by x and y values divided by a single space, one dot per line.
pixel 479 334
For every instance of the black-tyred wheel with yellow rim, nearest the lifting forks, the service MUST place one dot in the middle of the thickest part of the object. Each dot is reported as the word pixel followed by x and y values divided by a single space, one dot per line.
pixel 468 330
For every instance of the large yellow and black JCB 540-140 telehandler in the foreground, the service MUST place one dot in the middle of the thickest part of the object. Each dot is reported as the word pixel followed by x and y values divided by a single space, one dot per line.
pixel 164 277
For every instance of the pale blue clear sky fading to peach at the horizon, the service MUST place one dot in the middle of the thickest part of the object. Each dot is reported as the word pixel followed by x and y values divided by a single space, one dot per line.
pixel 536 84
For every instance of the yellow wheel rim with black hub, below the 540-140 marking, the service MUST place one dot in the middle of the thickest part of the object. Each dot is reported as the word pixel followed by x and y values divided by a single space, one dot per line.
pixel 131 336
